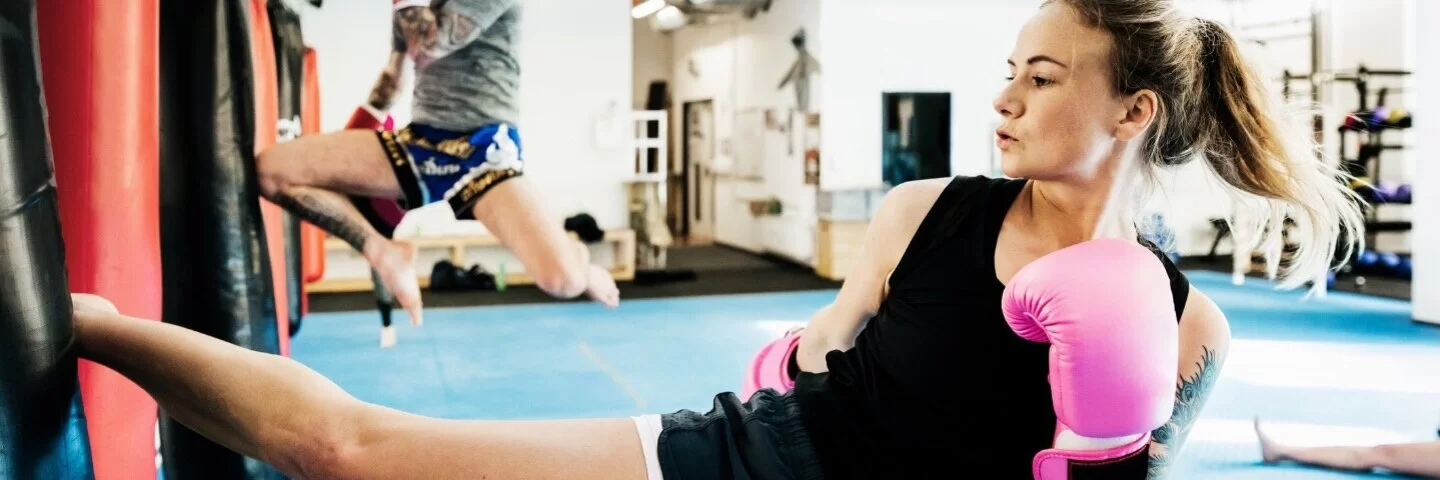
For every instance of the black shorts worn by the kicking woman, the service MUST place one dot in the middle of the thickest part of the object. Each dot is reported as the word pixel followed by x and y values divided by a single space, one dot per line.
pixel 762 439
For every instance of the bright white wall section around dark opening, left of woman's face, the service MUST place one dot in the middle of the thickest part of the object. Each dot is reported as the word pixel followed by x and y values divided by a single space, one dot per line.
pixel 912 47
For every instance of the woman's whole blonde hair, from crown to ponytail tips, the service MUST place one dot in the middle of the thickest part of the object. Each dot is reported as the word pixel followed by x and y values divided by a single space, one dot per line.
pixel 1215 106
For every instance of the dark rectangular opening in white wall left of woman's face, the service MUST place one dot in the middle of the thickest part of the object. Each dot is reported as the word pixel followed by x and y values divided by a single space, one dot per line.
pixel 917 136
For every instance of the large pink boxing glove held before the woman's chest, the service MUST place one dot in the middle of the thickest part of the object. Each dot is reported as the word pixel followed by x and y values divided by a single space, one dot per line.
pixel 1108 314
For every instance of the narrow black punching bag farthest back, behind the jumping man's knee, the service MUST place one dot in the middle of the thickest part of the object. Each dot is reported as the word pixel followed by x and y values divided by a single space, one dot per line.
pixel 290 68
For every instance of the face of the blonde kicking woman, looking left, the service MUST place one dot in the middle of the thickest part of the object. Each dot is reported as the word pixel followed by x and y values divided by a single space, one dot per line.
pixel 1059 113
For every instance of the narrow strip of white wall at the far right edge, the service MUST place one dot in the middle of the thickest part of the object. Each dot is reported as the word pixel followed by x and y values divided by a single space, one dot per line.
pixel 1426 260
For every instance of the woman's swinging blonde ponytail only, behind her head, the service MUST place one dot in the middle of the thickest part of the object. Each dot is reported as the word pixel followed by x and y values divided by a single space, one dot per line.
pixel 1275 169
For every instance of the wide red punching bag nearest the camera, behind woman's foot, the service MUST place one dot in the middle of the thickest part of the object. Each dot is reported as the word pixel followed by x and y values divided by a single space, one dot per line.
pixel 102 58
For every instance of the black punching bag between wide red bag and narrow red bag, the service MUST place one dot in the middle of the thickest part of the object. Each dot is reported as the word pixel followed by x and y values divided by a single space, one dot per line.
pixel 214 253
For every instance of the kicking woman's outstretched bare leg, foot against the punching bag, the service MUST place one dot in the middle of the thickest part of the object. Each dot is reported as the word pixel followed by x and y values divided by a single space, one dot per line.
pixel 274 409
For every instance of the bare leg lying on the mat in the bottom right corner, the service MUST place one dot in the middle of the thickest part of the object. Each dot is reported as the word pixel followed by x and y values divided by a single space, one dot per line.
pixel 1418 459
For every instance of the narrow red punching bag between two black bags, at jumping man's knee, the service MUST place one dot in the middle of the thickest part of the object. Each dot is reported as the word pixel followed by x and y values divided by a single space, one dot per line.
pixel 267 116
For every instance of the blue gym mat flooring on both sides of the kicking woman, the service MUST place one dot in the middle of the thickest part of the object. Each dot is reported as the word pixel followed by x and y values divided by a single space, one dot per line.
pixel 1347 368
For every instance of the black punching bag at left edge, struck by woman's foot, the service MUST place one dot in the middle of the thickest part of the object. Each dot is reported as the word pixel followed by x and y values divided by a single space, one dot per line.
pixel 42 423
